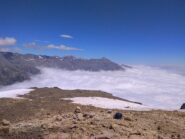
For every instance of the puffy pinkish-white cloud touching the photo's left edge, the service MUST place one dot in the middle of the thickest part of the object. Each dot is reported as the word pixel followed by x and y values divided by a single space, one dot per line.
pixel 7 41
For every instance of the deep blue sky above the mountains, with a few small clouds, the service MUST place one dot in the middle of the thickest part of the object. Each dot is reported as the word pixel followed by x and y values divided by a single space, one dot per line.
pixel 126 31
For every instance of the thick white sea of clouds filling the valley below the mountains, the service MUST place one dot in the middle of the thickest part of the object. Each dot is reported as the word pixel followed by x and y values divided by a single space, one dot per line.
pixel 152 86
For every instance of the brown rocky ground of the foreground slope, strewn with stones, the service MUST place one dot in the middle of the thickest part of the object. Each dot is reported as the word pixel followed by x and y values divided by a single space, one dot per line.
pixel 44 113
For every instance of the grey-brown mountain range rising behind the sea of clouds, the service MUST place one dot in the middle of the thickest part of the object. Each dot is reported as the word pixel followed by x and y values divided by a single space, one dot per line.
pixel 15 67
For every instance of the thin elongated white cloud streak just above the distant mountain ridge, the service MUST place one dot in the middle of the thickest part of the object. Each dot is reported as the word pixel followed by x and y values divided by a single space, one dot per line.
pixel 63 47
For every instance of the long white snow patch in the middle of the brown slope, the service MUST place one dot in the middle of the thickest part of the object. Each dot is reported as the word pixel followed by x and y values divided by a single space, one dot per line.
pixel 108 103
